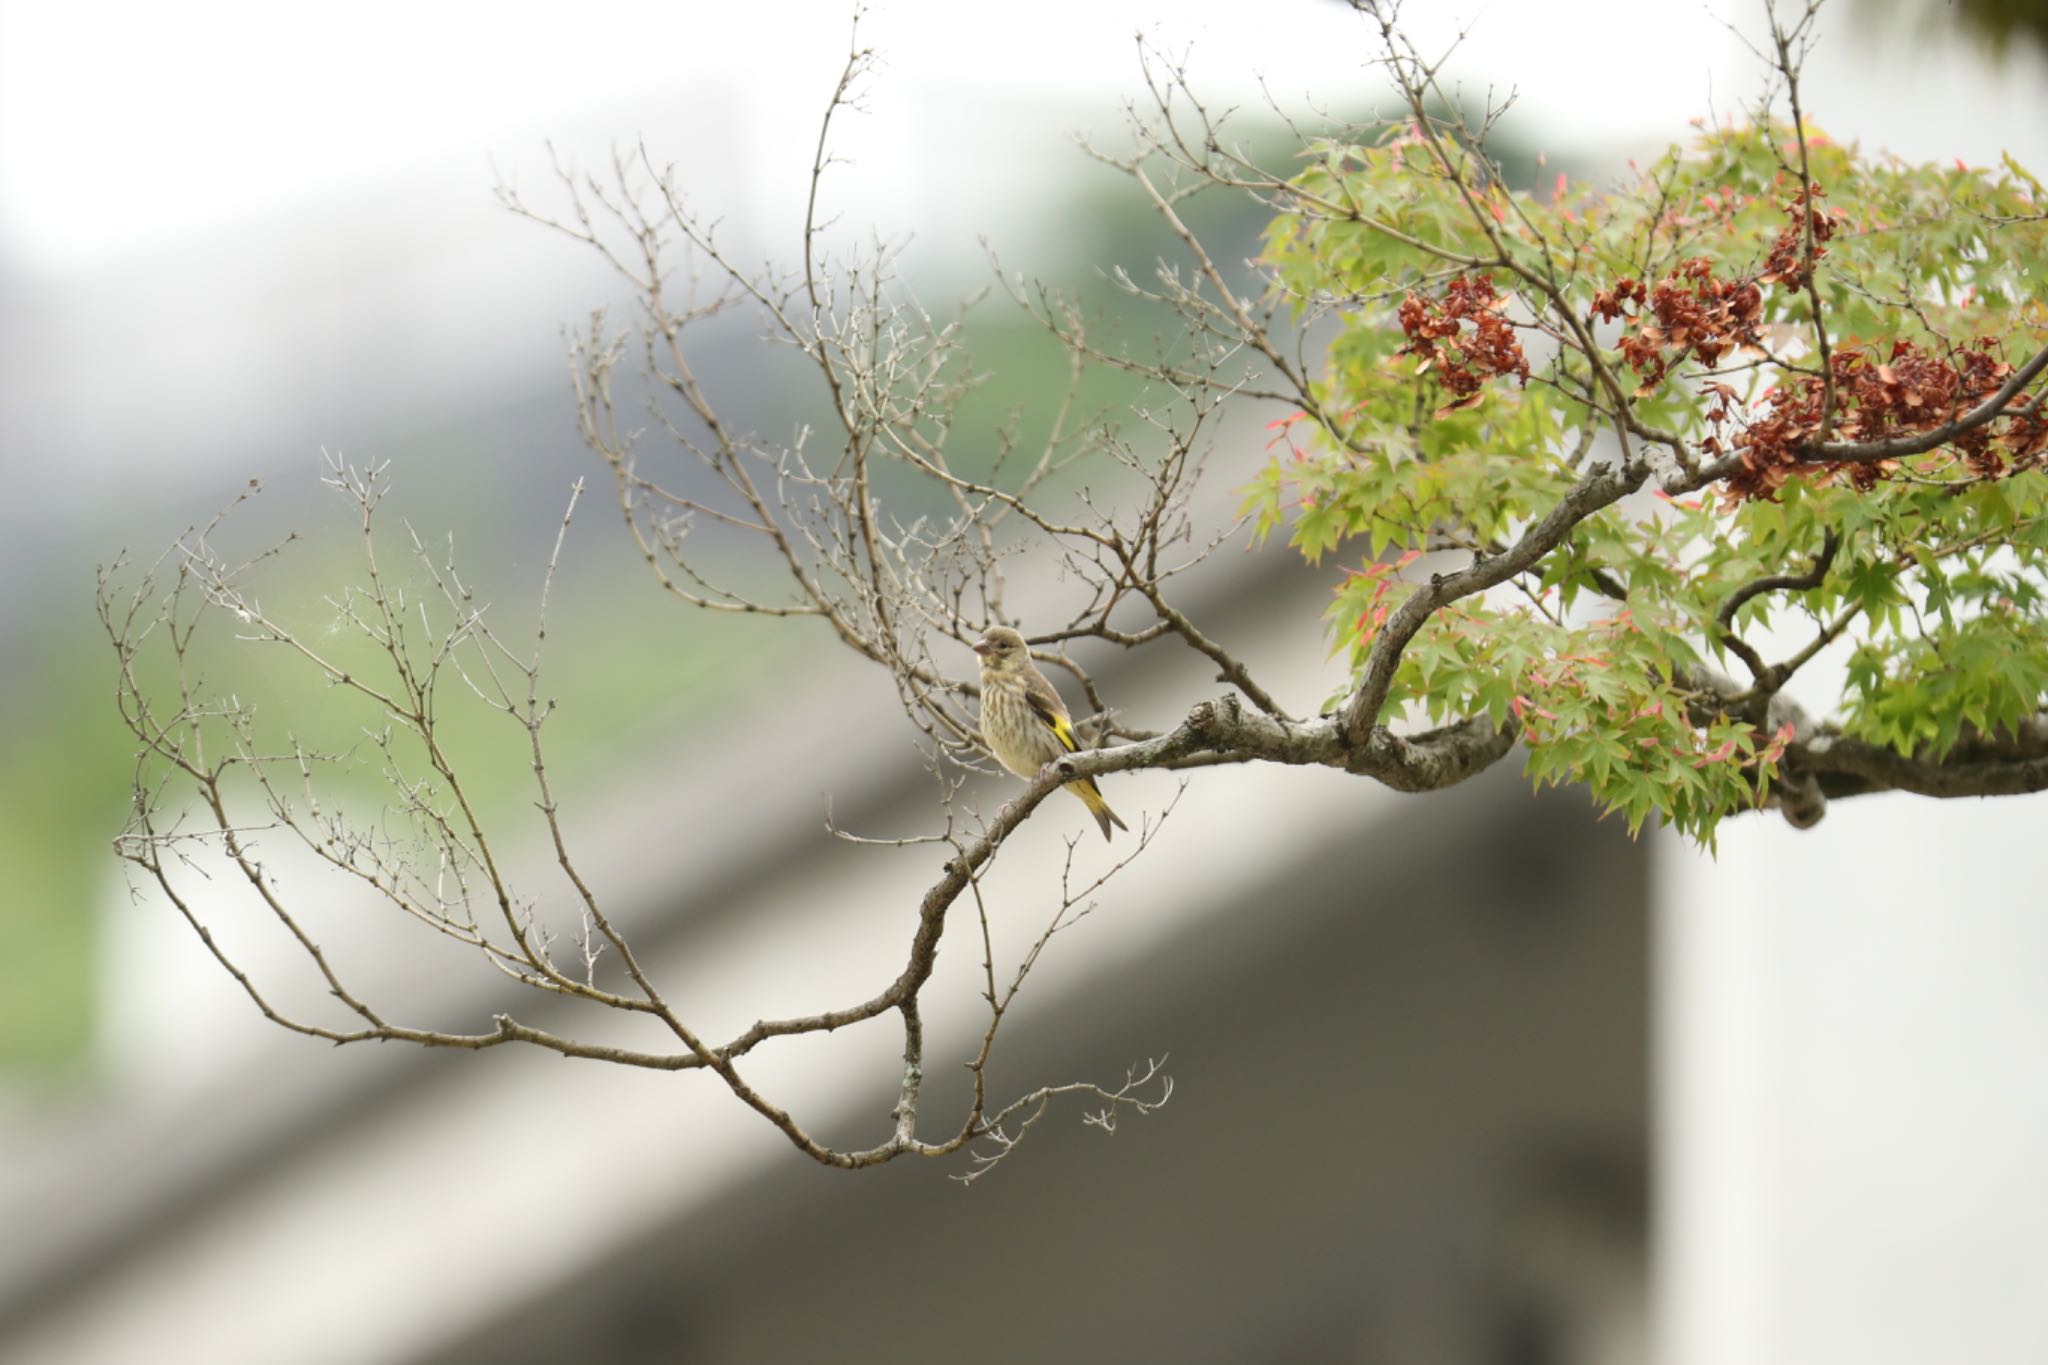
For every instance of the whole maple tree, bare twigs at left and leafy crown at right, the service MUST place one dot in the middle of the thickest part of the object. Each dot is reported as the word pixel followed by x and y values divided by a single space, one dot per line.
pixel 1607 474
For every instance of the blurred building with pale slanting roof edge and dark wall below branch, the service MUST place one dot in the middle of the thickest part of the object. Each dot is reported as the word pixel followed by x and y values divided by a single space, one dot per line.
pixel 1410 1125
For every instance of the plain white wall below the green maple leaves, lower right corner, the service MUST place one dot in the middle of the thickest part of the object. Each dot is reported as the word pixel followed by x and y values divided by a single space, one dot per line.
pixel 1854 1090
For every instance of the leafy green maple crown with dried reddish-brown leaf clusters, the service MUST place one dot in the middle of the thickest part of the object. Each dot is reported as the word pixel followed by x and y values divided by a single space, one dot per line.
pixel 1770 396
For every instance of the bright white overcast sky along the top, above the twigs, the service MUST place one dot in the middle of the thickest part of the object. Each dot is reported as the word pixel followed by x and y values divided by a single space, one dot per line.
pixel 132 122
